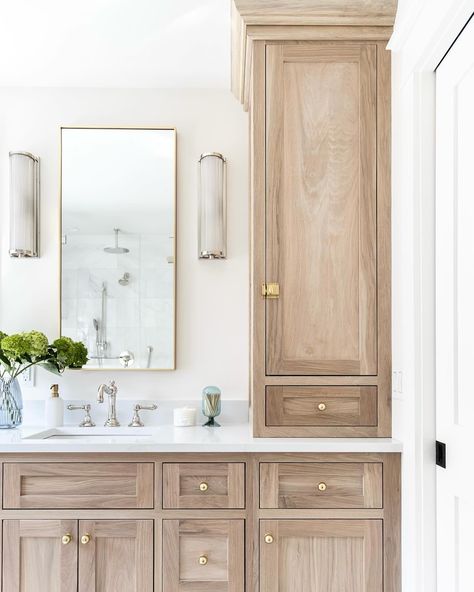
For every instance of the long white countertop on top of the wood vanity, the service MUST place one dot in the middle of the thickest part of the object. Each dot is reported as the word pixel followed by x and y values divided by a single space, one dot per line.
pixel 167 438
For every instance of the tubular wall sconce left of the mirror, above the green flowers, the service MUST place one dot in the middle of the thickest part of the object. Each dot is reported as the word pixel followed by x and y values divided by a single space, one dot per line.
pixel 24 205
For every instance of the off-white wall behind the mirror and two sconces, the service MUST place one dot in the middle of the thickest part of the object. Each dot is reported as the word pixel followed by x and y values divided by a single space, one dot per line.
pixel 212 311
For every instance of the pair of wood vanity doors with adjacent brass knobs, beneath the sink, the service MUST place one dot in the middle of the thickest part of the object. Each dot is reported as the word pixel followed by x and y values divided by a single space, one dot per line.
pixel 84 556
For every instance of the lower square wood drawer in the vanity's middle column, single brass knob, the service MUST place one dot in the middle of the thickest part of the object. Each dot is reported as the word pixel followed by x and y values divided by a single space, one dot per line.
pixel 203 555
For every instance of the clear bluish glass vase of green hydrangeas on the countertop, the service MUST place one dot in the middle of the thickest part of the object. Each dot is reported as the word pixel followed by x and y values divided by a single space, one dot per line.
pixel 21 351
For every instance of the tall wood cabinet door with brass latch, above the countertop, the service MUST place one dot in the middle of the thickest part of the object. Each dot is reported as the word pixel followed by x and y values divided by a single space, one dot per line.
pixel 320 235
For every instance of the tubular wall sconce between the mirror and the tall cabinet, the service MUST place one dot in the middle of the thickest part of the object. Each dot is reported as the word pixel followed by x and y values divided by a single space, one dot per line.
pixel 212 206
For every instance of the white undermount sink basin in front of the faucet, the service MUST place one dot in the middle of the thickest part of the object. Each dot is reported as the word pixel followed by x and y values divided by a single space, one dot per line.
pixel 124 434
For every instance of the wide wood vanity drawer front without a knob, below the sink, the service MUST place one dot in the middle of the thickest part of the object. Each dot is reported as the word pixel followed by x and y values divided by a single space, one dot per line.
pixel 78 485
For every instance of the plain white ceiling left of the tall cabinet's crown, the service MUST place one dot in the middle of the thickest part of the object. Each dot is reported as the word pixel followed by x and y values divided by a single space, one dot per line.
pixel 115 43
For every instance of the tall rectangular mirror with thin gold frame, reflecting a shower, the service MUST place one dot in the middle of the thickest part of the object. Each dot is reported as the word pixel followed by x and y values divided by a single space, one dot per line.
pixel 118 235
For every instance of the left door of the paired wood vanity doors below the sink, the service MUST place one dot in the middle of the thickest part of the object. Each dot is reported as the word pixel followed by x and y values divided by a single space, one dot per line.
pixel 39 555
